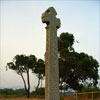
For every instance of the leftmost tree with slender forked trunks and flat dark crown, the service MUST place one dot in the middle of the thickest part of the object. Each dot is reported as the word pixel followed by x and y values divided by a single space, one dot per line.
pixel 23 64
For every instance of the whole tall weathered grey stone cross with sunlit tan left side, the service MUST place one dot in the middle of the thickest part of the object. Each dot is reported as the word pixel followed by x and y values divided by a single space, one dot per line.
pixel 52 69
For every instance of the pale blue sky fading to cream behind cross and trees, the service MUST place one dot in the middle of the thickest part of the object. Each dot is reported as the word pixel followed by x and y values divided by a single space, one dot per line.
pixel 22 31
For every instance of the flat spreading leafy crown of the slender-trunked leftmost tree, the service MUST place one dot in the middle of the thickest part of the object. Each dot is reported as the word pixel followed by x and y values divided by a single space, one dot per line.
pixel 22 63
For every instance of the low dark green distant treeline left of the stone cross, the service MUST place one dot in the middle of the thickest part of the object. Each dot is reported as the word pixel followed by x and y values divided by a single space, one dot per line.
pixel 9 92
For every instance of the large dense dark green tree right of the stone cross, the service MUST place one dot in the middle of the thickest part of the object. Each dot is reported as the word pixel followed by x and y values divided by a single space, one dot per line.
pixel 75 69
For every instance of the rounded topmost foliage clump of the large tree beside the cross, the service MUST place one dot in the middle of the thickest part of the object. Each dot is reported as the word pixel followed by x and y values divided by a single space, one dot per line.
pixel 65 42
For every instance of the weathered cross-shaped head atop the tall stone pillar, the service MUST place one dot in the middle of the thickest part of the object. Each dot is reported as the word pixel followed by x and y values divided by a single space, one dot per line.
pixel 49 17
